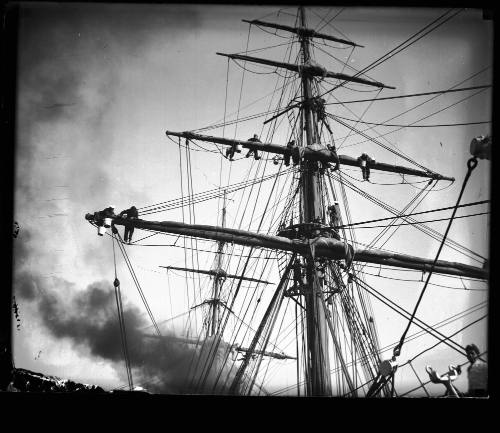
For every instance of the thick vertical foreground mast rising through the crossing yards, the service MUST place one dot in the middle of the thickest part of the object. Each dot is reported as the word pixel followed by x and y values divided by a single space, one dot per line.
pixel 318 377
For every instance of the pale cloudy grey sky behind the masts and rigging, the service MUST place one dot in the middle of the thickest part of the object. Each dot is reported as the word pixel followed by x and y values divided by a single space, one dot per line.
pixel 99 84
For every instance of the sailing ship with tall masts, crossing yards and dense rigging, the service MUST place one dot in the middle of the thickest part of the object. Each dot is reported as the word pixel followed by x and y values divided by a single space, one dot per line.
pixel 286 291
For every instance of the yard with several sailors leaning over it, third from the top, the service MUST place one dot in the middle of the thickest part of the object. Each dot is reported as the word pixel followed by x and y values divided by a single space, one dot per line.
pixel 310 154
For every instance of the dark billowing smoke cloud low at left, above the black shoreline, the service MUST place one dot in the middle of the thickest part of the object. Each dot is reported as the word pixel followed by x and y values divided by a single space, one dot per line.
pixel 88 318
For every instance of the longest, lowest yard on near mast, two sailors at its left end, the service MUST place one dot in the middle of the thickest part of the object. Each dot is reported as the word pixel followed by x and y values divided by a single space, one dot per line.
pixel 324 247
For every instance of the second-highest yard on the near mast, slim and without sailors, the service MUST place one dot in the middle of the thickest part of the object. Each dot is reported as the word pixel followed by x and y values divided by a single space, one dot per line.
pixel 307 69
